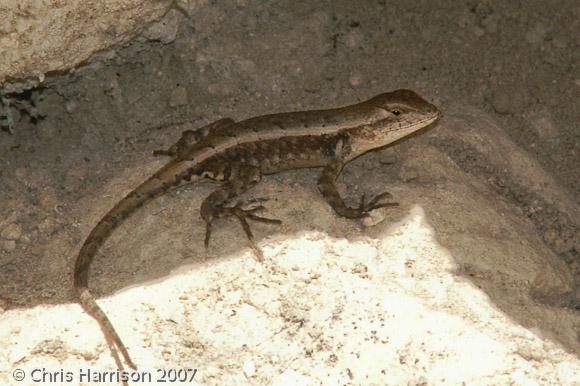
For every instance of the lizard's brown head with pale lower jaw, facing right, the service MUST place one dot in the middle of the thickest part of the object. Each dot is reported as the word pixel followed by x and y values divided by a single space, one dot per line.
pixel 393 115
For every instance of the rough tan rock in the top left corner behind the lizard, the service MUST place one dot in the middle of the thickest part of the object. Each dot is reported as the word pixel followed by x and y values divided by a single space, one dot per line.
pixel 40 37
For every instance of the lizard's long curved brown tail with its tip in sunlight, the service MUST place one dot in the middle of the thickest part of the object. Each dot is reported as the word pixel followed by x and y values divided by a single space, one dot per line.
pixel 159 183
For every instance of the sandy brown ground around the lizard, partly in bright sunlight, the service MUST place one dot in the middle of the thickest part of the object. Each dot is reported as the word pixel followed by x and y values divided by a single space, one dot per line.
pixel 473 280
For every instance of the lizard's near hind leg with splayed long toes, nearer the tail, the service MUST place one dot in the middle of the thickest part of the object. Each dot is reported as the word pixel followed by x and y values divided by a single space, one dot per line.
pixel 214 206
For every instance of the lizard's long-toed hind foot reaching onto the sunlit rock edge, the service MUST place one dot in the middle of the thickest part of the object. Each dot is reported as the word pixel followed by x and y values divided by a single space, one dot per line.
pixel 244 211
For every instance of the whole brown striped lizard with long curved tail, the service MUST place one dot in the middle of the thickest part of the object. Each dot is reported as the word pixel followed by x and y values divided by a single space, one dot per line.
pixel 238 154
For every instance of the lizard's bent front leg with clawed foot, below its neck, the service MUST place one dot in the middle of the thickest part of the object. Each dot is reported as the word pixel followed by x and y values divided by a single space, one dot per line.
pixel 327 186
